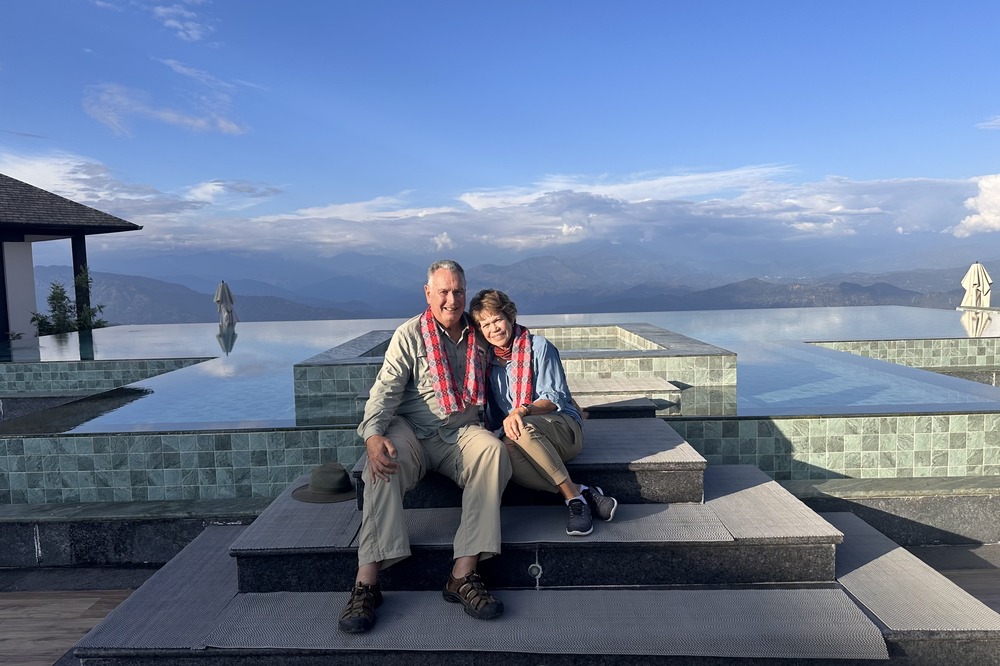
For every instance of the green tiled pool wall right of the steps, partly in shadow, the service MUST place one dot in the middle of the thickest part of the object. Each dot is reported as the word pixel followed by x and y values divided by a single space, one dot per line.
pixel 881 446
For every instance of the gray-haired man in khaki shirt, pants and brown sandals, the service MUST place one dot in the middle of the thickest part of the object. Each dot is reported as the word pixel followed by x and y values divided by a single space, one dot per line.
pixel 423 414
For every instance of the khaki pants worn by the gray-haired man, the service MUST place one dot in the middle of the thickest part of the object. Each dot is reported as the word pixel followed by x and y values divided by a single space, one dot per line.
pixel 478 463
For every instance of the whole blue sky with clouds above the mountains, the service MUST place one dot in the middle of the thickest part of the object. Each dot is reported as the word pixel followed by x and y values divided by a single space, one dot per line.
pixel 815 134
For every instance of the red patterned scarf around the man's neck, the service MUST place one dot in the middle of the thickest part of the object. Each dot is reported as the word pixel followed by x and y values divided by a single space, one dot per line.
pixel 445 387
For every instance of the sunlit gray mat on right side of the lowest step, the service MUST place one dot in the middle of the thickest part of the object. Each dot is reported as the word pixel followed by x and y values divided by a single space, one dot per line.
pixel 900 590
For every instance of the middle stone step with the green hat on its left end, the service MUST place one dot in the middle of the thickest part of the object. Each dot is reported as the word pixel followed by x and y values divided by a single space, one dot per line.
pixel 749 530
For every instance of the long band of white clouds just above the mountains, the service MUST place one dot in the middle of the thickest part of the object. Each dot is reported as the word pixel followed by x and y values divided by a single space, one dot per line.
pixel 748 213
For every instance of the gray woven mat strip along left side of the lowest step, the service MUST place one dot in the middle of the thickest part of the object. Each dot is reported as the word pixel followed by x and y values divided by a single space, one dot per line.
pixel 175 607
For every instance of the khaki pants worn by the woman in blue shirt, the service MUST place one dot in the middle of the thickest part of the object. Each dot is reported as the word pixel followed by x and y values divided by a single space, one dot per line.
pixel 546 443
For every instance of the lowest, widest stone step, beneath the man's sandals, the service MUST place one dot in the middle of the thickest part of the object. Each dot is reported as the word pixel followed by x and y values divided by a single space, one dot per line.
pixel 885 606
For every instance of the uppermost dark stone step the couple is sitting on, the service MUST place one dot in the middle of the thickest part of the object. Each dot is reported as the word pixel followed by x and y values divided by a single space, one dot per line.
pixel 642 460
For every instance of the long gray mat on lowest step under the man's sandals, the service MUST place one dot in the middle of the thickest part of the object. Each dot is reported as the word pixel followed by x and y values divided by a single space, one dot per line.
pixel 771 623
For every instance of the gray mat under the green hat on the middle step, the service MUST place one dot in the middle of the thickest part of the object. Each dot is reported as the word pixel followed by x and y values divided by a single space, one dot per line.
pixel 288 523
